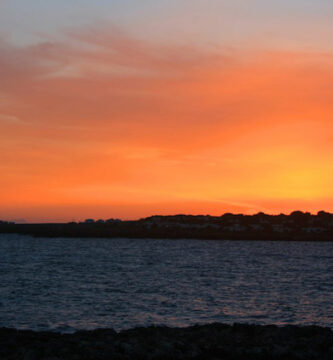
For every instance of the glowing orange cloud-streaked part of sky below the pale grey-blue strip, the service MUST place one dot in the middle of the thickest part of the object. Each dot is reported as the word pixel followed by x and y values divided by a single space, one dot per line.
pixel 106 125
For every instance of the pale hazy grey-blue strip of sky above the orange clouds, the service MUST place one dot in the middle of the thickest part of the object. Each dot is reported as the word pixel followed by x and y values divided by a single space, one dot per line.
pixel 264 23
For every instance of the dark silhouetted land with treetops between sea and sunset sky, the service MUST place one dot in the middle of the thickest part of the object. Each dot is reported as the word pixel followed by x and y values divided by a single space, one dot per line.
pixel 298 226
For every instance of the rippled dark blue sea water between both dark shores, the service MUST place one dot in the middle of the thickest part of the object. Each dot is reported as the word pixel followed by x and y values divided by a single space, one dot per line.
pixel 69 284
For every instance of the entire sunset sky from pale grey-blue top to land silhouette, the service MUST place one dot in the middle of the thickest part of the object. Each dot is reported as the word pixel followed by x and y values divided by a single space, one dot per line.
pixel 131 108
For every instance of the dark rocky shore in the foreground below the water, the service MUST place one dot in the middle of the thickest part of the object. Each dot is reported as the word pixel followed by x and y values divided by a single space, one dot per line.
pixel 213 341
